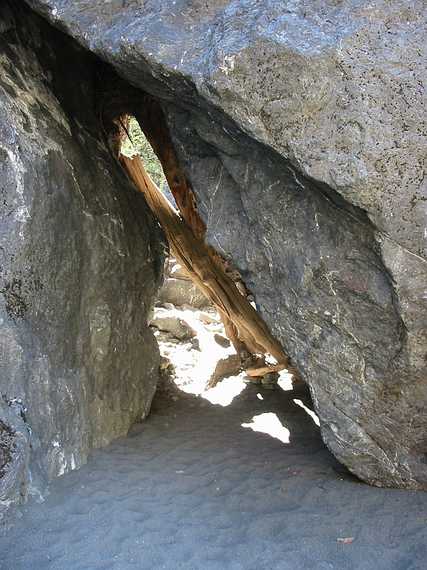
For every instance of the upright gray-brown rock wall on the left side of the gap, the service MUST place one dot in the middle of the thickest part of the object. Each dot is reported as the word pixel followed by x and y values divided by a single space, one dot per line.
pixel 80 260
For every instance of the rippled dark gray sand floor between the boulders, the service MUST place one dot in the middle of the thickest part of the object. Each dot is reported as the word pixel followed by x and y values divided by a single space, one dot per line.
pixel 192 488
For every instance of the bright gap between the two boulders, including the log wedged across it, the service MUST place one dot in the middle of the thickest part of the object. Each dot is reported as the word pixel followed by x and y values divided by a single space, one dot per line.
pixel 200 315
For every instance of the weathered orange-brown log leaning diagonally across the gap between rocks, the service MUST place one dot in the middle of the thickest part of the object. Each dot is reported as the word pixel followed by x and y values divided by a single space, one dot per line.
pixel 206 272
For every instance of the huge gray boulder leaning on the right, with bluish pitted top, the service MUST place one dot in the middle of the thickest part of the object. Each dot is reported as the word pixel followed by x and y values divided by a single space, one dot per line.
pixel 302 129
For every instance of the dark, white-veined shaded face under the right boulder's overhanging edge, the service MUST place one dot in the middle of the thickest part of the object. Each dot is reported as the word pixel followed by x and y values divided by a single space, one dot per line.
pixel 319 282
